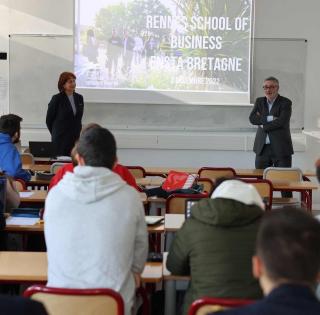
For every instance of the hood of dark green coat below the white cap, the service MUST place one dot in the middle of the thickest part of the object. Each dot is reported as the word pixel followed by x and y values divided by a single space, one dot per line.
pixel 225 212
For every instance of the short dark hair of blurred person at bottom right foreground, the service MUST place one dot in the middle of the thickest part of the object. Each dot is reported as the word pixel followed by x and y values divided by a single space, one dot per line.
pixel 288 243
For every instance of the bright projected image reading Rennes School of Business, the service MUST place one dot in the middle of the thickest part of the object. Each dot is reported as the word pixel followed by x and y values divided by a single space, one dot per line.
pixel 165 45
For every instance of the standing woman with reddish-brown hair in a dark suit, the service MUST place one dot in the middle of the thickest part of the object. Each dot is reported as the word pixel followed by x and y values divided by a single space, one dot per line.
pixel 64 115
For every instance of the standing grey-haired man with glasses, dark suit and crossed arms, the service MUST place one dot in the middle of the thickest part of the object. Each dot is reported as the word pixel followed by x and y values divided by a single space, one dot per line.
pixel 271 113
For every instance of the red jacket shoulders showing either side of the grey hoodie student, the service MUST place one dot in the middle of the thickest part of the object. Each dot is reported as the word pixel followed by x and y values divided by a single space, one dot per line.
pixel 119 169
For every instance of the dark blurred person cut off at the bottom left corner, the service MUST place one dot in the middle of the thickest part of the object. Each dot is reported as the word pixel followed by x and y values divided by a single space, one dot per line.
pixel 16 305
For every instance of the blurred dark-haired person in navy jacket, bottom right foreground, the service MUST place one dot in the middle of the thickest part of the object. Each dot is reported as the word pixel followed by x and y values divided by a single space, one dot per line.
pixel 287 265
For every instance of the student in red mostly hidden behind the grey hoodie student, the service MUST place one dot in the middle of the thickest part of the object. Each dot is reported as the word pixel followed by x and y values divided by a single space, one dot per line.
pixel 119 169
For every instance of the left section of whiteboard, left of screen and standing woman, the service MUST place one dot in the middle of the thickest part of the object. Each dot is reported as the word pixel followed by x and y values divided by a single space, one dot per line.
pixel 35 63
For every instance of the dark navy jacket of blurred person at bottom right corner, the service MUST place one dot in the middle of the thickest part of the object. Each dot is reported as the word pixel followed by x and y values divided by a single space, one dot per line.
pixel 287 299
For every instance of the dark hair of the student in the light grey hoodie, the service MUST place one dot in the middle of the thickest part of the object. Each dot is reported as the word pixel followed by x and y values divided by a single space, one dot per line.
pixel 97 146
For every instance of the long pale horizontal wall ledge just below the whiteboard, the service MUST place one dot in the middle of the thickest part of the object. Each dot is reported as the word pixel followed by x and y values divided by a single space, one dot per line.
pixel 213 141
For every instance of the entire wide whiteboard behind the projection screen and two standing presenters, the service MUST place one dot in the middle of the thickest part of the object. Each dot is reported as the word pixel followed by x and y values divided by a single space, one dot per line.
pixel 36 62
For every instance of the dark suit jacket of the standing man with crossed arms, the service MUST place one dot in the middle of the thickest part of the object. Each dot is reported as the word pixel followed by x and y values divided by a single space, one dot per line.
pixel 277 129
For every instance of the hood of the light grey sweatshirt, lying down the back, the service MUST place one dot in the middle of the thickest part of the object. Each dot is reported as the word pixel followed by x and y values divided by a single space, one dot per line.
pixel 89 184
